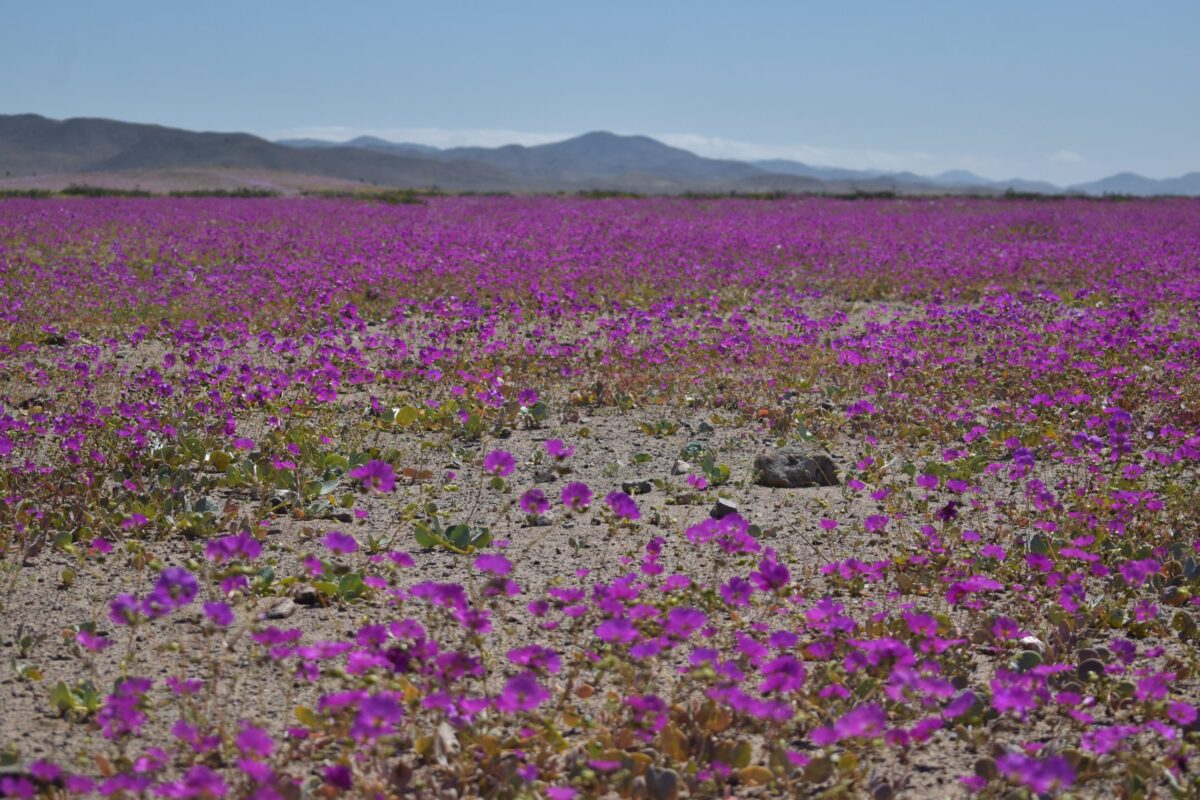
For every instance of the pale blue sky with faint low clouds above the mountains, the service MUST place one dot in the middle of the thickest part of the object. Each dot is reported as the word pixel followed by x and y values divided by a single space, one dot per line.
pixel 1048 89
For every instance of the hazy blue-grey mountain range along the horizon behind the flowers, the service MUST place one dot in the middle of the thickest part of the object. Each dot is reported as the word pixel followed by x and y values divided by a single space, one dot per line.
pixel 37 152
